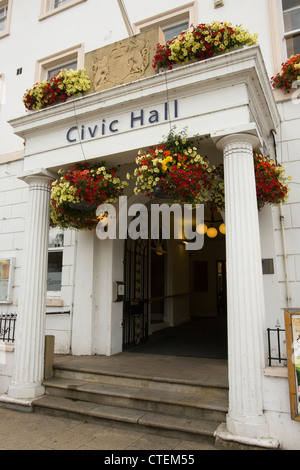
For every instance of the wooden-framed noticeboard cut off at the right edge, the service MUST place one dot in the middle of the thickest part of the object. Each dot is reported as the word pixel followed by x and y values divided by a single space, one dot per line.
pixel 292 325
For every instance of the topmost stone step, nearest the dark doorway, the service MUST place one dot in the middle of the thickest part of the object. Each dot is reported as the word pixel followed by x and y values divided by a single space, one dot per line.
pixel 213 390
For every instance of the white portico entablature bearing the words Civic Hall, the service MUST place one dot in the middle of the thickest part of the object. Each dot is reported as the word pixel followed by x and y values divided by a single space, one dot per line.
pixel 215 97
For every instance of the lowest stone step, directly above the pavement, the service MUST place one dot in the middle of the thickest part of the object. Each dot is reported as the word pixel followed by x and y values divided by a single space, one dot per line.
pixel 199 430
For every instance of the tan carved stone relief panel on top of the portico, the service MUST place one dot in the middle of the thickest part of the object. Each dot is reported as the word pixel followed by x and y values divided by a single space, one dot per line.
pixel 122 62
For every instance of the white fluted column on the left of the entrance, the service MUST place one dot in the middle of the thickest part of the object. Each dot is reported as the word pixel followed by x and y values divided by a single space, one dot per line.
pixel 29 347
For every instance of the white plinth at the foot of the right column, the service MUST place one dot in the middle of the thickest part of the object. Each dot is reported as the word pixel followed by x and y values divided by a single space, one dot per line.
pixel 224 439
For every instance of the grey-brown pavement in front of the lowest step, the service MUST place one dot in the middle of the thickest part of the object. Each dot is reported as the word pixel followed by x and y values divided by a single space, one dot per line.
pixel 32 431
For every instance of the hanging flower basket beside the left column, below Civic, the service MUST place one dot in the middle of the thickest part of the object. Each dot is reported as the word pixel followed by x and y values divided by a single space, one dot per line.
pixel 76 195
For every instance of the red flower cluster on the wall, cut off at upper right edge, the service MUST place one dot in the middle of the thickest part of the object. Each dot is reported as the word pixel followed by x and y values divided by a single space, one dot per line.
pixel 289 76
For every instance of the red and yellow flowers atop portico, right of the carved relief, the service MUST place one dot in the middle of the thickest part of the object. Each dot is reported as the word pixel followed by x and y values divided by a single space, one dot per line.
pixel 202 42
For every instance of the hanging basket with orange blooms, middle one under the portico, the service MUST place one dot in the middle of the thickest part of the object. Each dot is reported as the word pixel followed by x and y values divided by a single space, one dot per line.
pixel 174 170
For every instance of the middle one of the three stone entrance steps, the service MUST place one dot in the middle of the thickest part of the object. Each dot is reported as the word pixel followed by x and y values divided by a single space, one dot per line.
pixel 149 399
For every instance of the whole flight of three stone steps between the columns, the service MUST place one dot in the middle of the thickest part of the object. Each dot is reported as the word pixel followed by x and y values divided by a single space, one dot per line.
pixel 161 405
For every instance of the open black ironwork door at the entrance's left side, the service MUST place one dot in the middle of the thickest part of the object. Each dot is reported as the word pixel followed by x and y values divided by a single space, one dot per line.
pixel 136 299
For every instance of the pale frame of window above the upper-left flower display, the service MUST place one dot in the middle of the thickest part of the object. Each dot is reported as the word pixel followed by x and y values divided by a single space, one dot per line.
pixel 59 59
